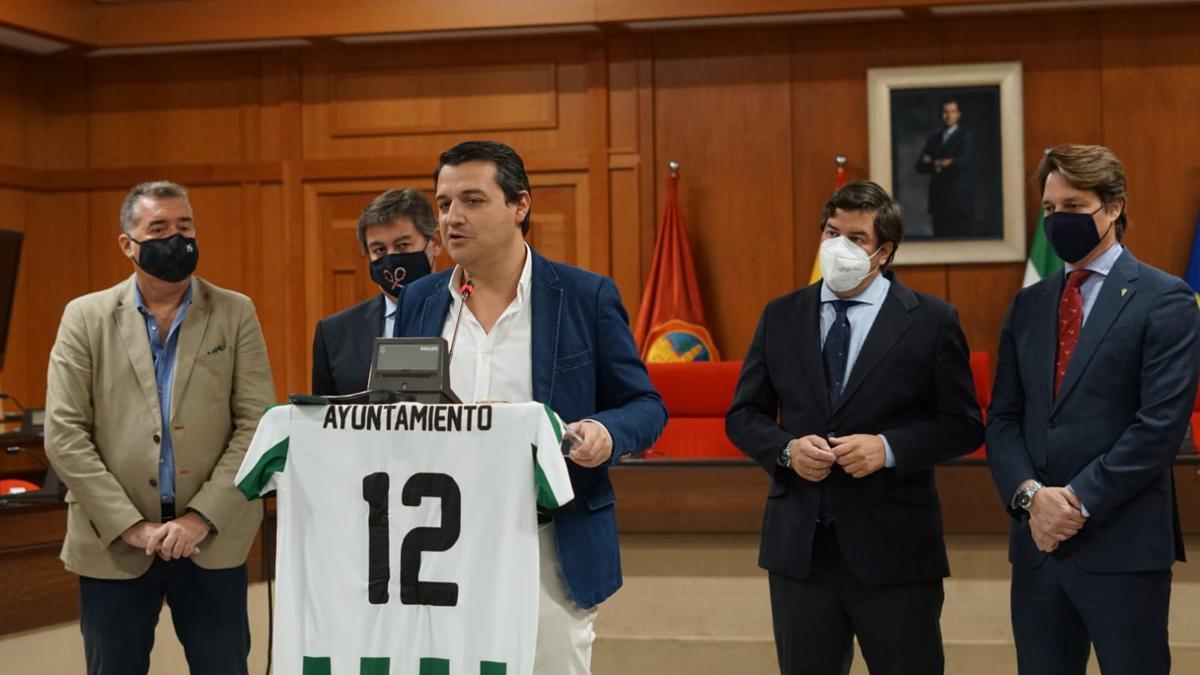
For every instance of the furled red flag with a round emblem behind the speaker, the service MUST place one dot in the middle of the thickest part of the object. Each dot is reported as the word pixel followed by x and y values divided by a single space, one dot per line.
pixel 671 321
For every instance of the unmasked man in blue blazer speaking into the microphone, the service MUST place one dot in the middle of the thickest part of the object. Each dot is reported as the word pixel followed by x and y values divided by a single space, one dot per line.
pixel 538 331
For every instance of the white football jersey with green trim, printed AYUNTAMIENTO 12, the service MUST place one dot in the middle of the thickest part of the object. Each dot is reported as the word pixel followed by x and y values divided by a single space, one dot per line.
pixel 407 539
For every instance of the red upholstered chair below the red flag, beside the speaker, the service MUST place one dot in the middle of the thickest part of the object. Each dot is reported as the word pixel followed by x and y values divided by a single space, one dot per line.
pixel 698 396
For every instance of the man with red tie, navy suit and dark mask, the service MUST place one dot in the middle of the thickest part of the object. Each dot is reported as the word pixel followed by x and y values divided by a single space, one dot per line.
pixel 1095 385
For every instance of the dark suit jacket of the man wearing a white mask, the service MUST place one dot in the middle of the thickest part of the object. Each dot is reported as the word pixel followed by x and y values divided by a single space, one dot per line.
pixel 911 384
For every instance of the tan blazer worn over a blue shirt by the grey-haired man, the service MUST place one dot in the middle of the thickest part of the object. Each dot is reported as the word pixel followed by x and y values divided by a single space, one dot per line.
pixel 104 425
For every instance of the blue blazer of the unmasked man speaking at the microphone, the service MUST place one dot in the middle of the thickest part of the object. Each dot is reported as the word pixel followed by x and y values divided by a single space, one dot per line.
pixel 585 366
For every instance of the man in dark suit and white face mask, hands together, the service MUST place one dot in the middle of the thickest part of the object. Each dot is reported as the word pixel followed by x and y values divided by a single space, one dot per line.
pixel 851 392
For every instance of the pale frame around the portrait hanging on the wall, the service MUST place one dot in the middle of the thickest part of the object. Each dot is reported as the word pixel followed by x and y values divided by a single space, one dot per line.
pixel 1005 242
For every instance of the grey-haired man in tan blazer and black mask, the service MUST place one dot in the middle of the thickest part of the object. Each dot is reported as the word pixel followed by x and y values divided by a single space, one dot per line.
pixel 154 392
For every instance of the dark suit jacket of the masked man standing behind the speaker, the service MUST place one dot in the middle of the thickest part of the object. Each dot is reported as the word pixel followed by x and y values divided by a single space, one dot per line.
pixel 341 349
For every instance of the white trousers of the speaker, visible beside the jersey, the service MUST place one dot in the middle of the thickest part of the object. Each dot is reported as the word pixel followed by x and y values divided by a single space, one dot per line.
pixel 565 629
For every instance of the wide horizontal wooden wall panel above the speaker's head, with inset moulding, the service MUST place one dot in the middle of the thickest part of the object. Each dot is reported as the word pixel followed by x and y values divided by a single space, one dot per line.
pixel 393 85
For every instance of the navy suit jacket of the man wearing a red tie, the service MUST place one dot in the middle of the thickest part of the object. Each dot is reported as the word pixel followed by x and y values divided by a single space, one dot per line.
pixel 1117 426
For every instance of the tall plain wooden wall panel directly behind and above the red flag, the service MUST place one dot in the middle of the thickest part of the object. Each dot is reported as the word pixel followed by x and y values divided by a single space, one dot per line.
pixel 722 109
